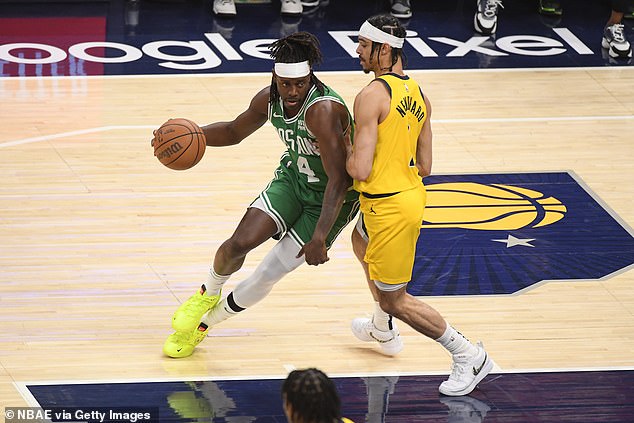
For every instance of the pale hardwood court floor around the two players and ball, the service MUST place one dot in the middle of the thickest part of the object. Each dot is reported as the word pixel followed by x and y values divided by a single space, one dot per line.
pixel 100 243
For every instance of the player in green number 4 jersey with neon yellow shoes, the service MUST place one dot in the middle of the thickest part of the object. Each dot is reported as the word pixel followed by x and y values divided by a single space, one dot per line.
pixel 306 205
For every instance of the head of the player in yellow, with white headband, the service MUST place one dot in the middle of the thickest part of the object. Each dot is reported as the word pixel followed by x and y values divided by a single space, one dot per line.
pixel 381 39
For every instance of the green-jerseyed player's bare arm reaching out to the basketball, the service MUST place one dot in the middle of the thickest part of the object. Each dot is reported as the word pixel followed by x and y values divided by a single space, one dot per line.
pixel 230 133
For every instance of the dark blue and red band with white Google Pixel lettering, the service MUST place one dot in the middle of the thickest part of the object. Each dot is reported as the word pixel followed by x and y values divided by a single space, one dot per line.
pixel 152 37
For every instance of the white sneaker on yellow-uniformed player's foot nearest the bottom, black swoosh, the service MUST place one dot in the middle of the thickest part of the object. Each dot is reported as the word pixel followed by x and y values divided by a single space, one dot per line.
pixel 466 372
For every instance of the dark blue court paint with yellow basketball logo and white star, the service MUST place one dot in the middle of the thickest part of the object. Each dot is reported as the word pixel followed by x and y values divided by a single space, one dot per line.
pixel 502 233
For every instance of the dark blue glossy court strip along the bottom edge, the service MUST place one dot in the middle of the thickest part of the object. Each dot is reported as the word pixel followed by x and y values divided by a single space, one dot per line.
pixel 510 397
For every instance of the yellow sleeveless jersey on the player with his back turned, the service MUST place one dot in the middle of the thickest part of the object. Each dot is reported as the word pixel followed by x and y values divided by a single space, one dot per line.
pixel 394 166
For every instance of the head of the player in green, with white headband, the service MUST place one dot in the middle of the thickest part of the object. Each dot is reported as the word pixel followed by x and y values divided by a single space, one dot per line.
pixel 294 56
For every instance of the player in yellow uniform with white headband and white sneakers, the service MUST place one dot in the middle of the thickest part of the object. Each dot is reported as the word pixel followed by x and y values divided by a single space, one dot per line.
pixel 392 152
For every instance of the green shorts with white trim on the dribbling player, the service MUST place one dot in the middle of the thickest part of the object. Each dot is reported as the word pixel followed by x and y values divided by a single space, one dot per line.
pixel 296 209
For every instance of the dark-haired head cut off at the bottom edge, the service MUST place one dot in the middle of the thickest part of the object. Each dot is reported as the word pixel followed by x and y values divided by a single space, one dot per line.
pixel 312 397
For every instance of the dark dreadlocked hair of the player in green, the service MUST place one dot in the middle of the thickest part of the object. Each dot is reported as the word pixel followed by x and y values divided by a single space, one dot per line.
pixel 297 47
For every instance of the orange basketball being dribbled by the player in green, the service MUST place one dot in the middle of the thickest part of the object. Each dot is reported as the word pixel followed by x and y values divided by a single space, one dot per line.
pixel 179 144
